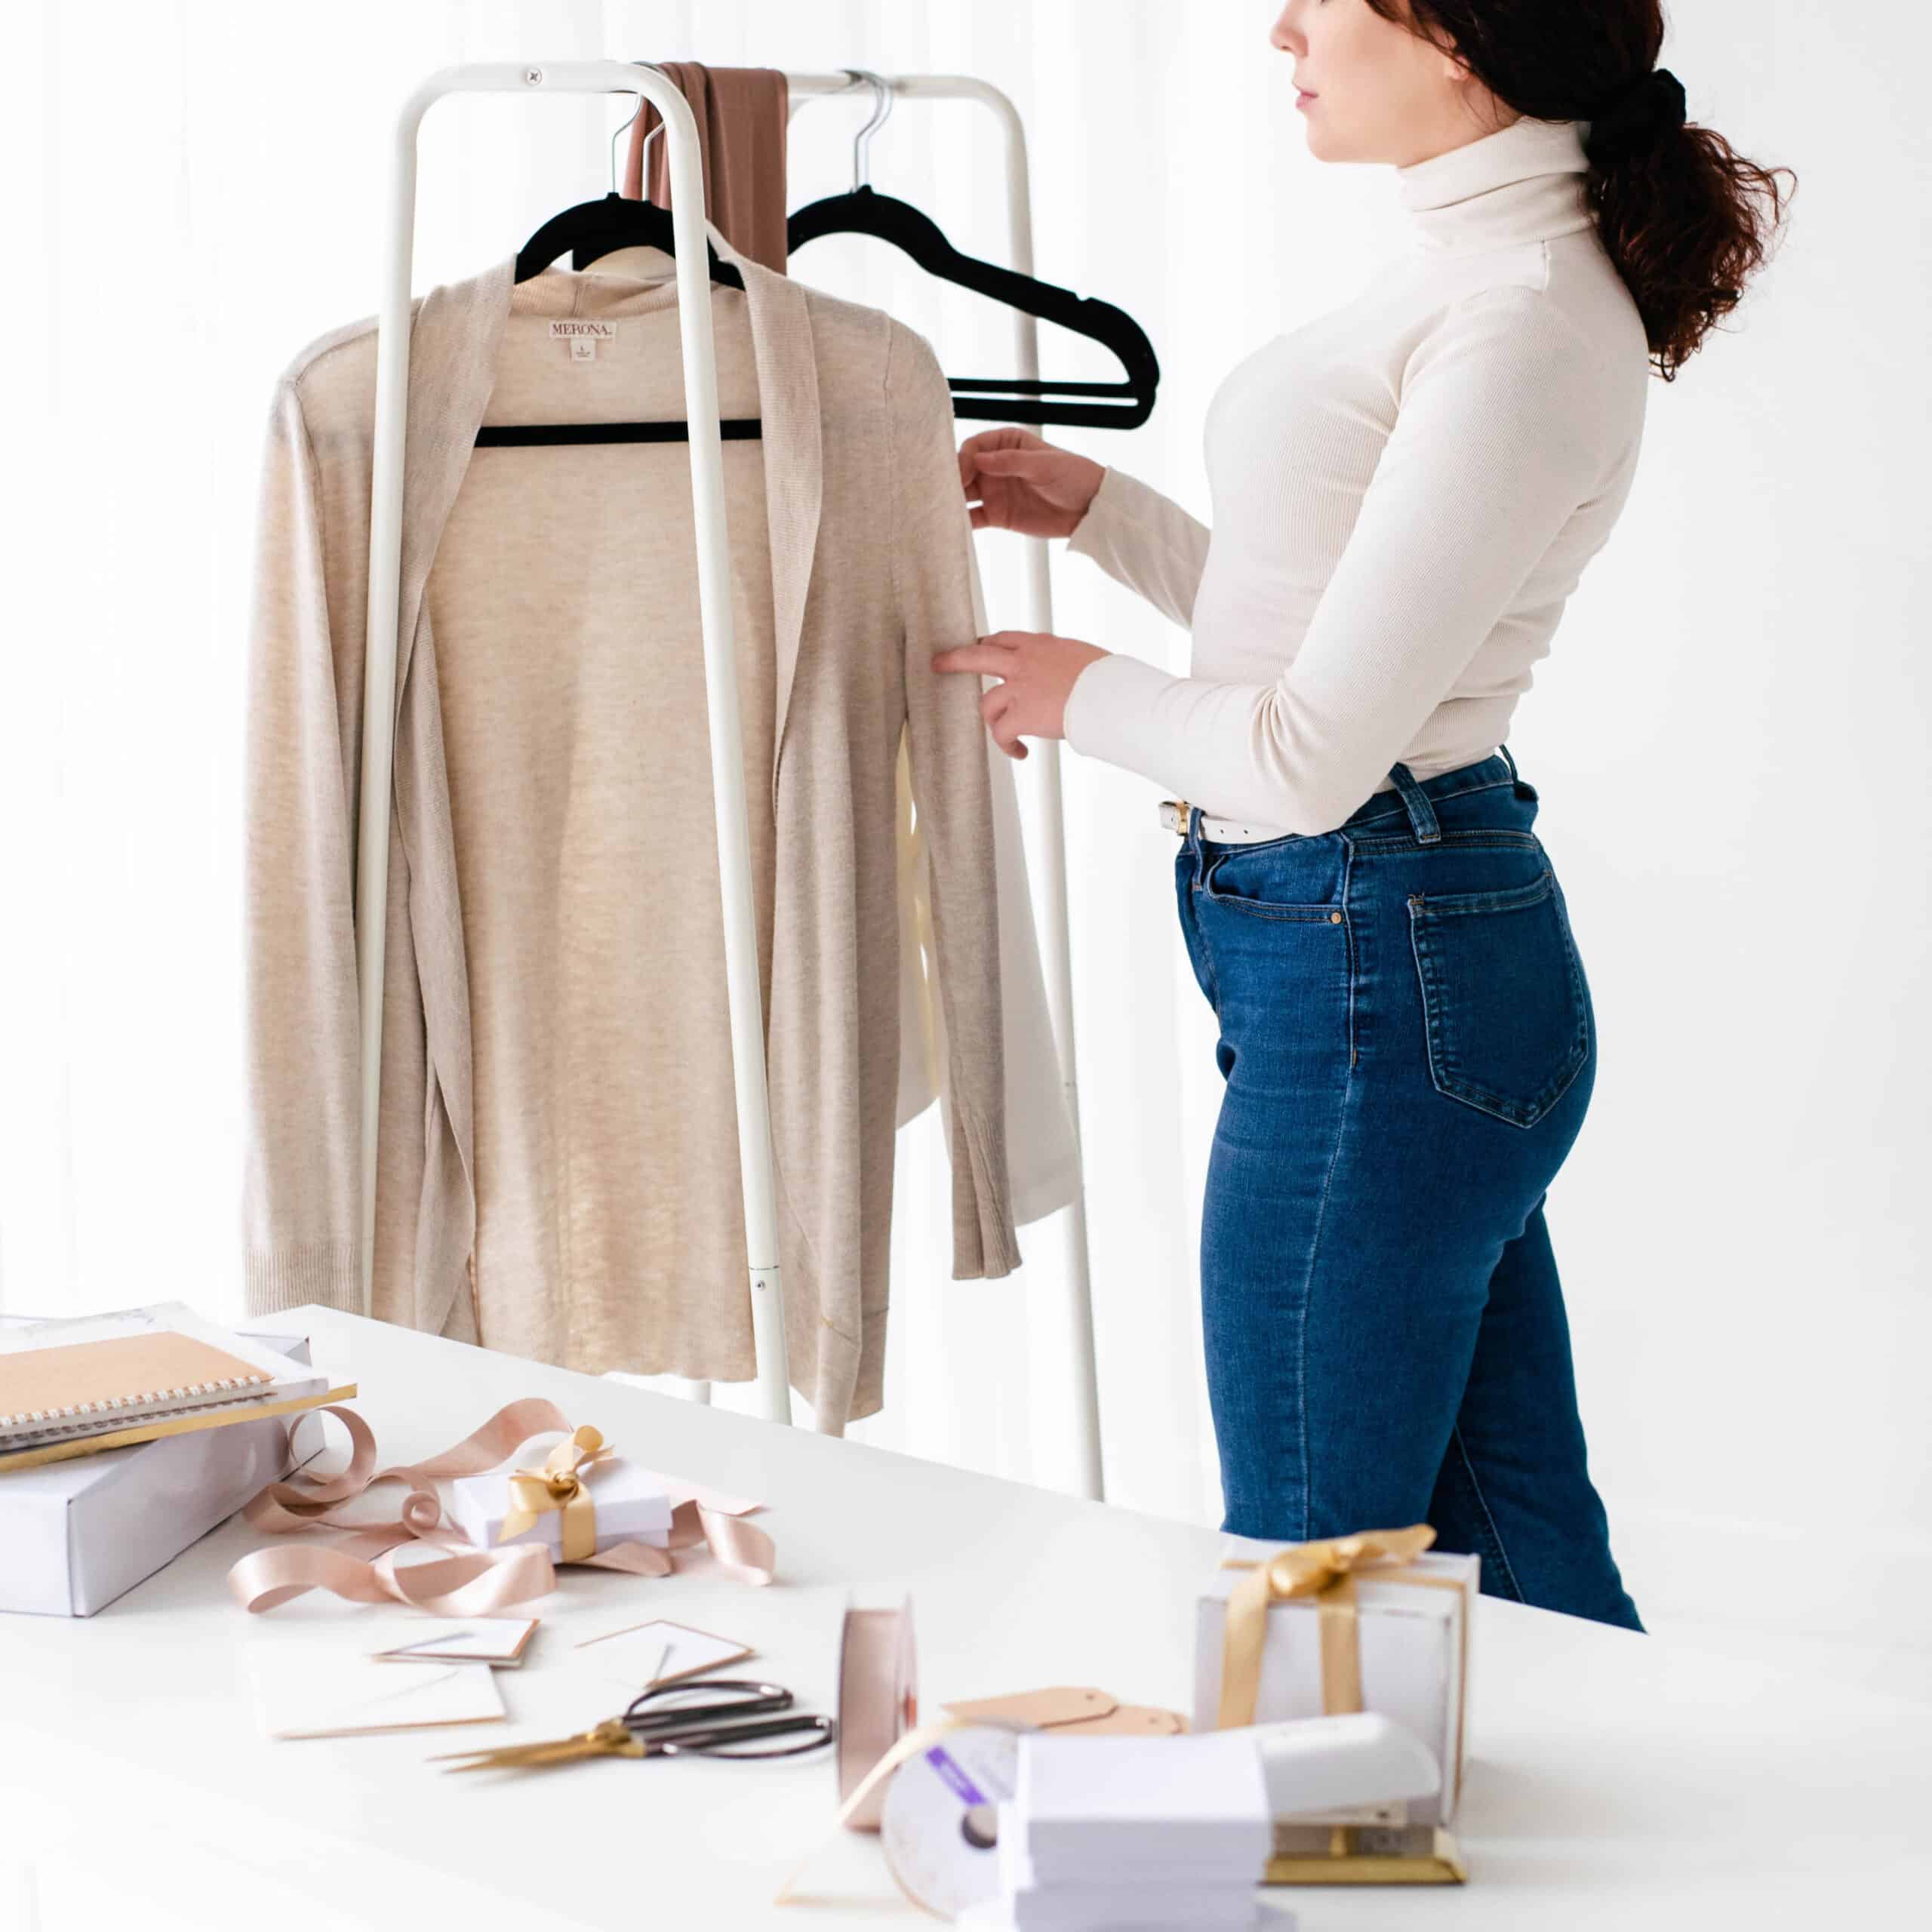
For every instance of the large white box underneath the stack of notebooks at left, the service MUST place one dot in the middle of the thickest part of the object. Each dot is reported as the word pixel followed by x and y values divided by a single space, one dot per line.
pixel 86 1531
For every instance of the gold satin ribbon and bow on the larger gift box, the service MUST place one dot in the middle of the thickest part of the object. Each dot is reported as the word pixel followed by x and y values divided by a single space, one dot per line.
pixel 1326 1574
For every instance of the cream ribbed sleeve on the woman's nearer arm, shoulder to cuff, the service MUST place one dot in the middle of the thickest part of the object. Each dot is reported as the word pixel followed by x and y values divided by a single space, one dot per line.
pixel 1504 430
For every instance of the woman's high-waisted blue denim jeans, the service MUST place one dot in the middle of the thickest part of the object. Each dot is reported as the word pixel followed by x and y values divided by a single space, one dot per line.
pixel 1409 1050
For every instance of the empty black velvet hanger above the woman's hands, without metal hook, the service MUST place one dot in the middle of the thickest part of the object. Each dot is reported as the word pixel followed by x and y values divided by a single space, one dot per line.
pixel 1002 399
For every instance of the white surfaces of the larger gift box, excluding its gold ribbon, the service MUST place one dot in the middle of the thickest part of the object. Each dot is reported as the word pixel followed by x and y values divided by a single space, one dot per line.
pixel 1415 1657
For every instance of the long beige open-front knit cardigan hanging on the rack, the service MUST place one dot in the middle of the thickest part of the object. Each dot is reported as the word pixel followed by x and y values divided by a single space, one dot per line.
pixel 557 1100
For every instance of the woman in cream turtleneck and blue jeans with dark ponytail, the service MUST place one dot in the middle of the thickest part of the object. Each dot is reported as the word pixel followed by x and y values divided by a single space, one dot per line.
pixel 1406 494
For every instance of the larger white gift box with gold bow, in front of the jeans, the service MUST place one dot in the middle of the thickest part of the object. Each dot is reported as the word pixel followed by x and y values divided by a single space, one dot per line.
pixel 1373 1622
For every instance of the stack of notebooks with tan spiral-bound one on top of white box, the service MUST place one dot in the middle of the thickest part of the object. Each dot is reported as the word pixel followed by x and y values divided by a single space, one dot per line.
pixel 71 1388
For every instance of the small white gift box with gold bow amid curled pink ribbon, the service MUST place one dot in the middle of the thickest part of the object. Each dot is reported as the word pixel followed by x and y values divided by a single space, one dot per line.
pixel 565 1492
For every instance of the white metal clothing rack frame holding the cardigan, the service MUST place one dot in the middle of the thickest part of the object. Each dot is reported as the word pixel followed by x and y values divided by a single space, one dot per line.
pixel 720 648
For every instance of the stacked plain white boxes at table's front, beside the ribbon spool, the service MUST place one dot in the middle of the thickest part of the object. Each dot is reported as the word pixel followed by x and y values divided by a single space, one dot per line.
pixel 1135 1833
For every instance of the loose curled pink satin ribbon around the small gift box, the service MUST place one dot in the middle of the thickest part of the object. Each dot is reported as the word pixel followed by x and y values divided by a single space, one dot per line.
pixel 469 1583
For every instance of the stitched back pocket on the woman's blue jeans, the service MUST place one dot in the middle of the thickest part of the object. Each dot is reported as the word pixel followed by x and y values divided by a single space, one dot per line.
pixel 1504 1000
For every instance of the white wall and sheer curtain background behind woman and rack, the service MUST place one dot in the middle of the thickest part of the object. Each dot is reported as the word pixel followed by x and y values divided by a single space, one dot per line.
pixel 1730 735
